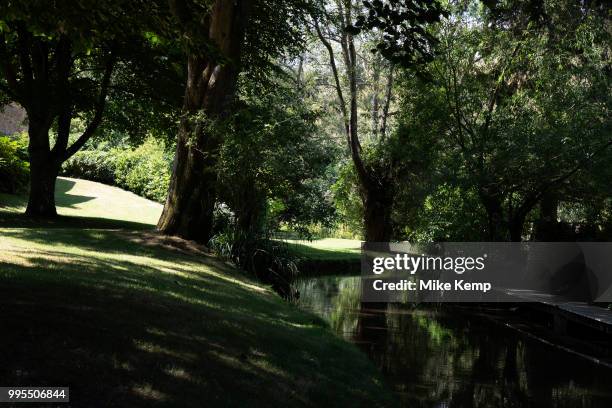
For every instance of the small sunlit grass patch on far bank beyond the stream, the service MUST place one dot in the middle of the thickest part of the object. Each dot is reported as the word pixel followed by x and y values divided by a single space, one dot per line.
pixel 327 249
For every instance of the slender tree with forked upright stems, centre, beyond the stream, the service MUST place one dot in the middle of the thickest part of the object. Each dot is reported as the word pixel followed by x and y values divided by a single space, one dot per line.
pixel 336 26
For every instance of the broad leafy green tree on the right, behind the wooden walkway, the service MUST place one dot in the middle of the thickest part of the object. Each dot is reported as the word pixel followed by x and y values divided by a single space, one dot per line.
pixel 527 106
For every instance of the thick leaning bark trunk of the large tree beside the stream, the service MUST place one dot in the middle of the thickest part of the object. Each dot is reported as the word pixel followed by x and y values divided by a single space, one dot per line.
pixel 210 91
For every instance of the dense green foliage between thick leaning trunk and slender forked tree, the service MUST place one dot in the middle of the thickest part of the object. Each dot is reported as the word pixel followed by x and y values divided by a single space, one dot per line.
pixel 273 162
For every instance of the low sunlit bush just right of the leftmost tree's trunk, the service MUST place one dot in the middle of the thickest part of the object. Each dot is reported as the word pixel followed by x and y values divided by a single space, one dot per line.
pixel 94 165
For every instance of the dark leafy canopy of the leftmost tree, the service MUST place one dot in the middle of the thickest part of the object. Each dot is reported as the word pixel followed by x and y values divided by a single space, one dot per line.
pixel 81 35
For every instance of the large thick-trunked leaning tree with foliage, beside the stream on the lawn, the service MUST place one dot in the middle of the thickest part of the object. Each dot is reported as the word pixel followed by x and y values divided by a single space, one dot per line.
pixel 222 40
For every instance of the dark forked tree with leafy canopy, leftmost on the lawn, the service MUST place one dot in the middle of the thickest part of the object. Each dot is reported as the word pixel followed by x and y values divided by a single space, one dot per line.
pixel 57 61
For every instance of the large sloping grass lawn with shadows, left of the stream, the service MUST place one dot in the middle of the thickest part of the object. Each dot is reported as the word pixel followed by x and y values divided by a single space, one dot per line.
pixel 132 319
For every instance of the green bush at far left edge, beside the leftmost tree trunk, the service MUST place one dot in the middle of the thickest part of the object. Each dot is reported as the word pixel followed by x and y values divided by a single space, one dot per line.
pixel 14 168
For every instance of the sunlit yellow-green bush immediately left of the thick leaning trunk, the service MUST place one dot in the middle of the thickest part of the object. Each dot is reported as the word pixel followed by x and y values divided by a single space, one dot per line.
pixel 144 170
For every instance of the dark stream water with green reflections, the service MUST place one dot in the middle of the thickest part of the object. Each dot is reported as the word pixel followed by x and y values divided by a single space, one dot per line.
pixel 442 358
